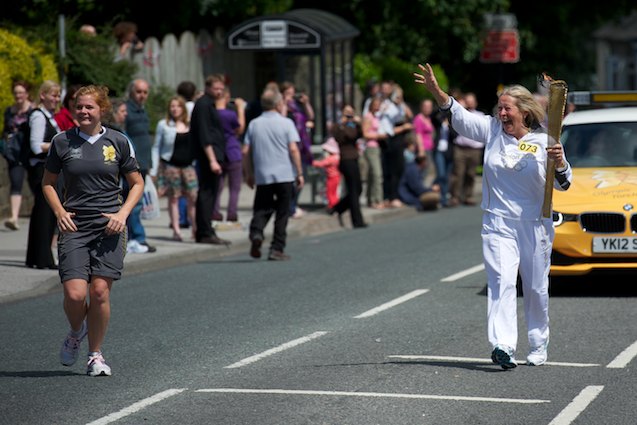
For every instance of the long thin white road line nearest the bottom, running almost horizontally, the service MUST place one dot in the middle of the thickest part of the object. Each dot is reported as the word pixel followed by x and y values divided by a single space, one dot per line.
pixel 369 394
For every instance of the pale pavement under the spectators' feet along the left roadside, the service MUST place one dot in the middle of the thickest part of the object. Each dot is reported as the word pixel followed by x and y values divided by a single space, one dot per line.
pixel 18 282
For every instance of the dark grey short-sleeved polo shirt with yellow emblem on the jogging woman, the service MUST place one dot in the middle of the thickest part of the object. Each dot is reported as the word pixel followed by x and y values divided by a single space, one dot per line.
pixel 91 169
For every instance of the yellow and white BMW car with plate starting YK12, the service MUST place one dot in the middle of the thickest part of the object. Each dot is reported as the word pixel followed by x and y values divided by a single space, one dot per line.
pixel 595 220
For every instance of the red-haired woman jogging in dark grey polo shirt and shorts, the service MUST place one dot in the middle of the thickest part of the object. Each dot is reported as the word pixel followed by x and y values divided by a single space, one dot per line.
pixel 91 219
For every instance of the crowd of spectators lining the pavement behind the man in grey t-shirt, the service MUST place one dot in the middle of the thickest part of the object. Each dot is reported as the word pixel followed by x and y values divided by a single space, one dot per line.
pixel 199 148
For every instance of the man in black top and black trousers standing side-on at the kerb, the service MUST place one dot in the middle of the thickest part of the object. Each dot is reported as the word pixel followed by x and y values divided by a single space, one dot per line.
pixel 209 146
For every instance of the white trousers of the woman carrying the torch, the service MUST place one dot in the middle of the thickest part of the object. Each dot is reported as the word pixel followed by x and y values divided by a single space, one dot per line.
pixel 512 246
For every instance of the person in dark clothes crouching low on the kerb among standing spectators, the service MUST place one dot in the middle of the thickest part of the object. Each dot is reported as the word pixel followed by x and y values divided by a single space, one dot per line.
pixel 412 190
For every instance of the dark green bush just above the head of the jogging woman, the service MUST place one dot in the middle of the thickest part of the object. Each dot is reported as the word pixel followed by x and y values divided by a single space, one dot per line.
pixel 89 60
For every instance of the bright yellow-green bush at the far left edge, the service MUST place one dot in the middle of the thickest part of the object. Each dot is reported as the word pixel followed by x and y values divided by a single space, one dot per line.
pixel 21 61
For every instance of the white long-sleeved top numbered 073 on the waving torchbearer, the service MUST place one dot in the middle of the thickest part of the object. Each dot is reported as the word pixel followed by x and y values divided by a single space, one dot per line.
pixel 514 170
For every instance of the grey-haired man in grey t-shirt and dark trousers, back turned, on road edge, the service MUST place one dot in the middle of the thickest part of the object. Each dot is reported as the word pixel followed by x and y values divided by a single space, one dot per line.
pixel 273 163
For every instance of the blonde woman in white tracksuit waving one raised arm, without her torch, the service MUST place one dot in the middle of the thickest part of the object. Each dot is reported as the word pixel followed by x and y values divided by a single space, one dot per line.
pixel 515 236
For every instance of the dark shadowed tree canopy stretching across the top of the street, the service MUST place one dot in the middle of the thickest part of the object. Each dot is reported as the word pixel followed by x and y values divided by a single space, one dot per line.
pixel 554 36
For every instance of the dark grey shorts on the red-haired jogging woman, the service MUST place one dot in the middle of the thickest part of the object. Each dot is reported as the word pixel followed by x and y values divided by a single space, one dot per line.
pixel 91 252
